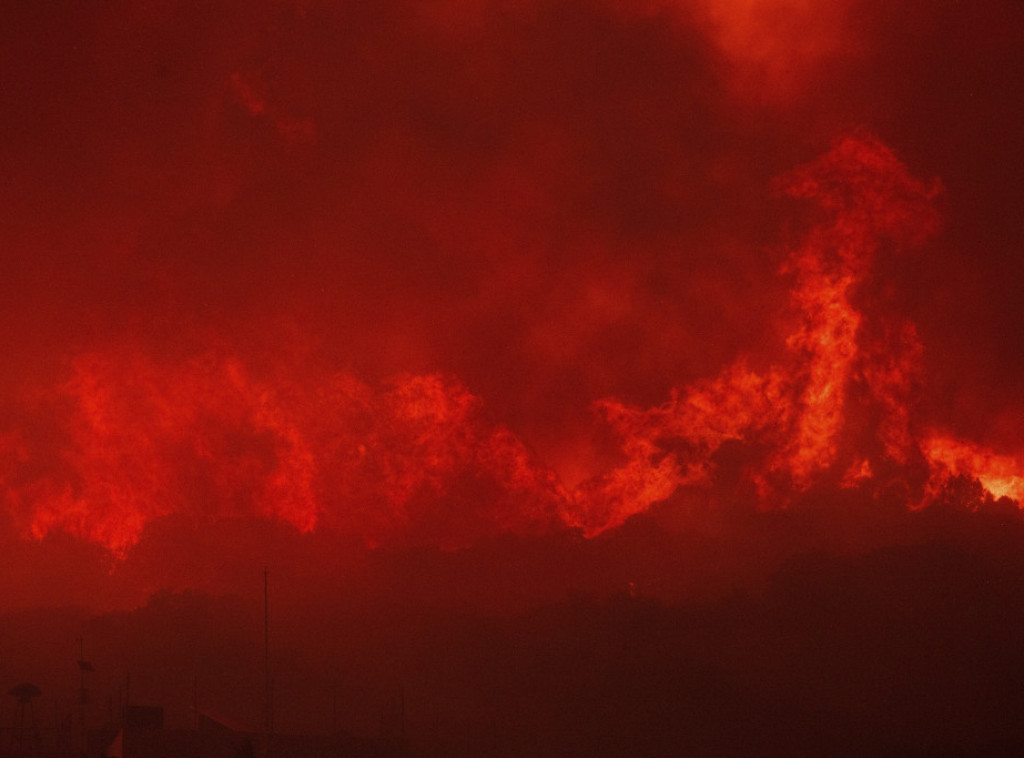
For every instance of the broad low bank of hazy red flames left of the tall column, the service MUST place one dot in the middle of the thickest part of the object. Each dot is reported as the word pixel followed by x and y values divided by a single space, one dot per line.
pixel 208 439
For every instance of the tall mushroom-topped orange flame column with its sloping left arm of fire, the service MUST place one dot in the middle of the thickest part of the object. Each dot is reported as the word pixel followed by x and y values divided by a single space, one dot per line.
pixel 797 408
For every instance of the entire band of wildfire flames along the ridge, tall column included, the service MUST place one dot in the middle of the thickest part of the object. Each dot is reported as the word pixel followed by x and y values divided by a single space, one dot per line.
pixel 139 439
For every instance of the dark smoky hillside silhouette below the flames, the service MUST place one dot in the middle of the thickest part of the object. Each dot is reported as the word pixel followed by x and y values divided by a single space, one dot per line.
pixel 820 643
